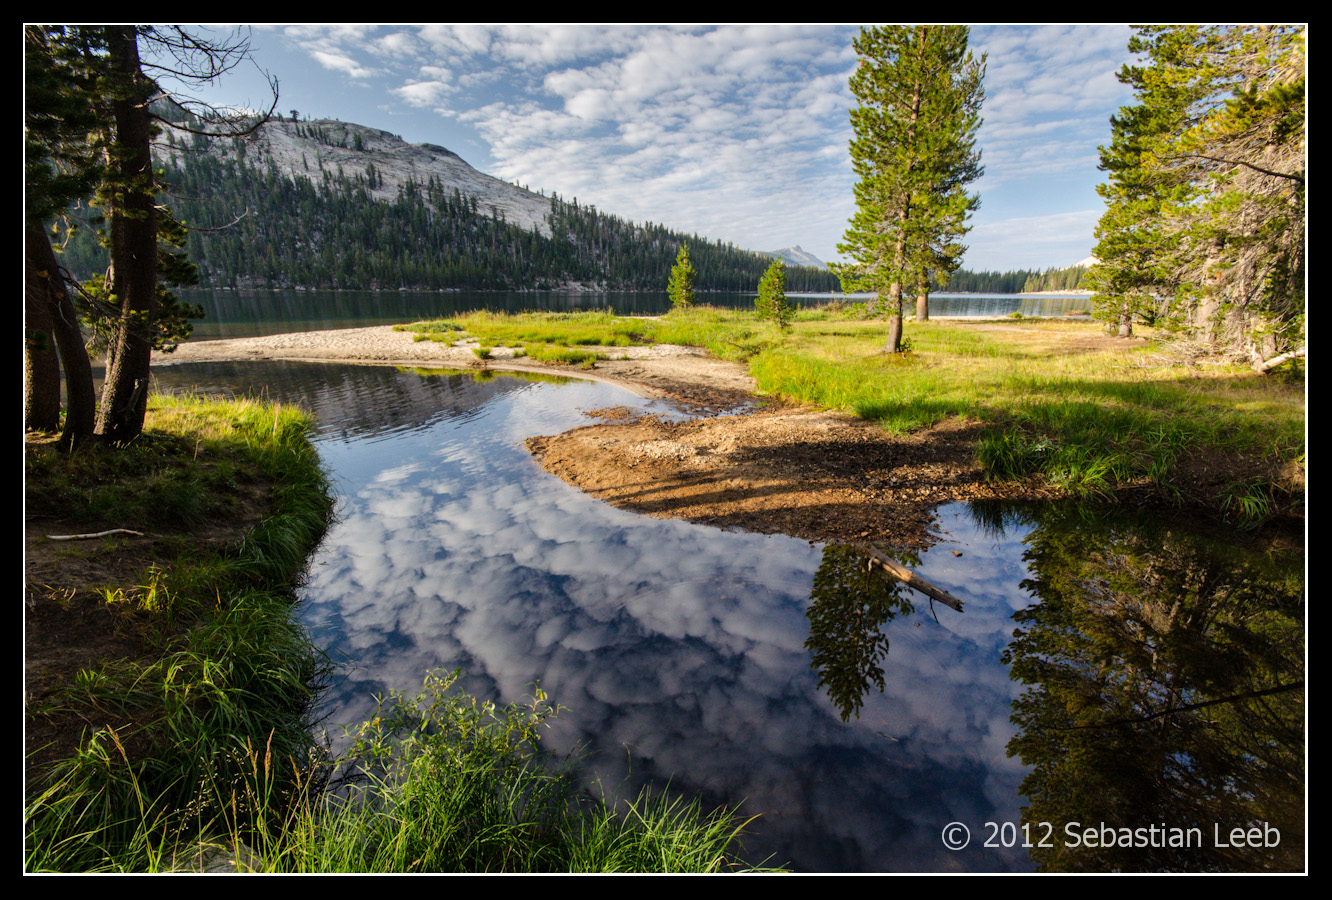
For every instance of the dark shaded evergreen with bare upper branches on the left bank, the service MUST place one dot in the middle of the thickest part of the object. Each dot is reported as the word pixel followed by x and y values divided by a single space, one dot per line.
pixel 109 97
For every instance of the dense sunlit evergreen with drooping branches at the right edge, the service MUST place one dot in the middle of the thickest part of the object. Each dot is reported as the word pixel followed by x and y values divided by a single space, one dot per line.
pixel 1206 220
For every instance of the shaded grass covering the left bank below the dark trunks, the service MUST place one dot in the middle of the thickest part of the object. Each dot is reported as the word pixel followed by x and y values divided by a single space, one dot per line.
pixel 234 669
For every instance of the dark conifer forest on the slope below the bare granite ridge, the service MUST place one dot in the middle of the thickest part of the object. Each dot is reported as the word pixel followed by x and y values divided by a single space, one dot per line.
pixel 255 224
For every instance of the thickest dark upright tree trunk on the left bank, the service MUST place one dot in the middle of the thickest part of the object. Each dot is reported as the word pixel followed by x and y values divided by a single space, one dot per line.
pixel 134 250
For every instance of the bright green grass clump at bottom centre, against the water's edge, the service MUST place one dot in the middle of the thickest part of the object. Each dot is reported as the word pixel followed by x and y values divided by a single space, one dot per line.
pixel 450 785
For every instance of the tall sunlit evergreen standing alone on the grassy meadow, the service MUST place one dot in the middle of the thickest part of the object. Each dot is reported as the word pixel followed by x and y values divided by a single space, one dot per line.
pixel 920 93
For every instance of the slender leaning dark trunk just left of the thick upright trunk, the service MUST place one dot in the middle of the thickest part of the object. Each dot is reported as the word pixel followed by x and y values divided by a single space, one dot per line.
pixel 81 399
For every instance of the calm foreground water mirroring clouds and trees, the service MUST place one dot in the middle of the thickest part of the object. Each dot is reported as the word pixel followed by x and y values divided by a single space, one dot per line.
pixel 860 725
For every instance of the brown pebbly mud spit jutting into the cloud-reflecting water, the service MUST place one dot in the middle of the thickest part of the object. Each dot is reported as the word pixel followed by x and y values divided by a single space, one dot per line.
pixel 812 475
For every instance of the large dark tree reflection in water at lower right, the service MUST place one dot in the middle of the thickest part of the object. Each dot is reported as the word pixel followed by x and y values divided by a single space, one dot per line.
pixel 1165 688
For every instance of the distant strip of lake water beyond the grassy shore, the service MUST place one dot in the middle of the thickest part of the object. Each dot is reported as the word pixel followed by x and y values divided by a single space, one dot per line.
pixel 254 314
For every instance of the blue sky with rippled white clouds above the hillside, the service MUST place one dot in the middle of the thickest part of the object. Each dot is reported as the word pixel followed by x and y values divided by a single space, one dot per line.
pixel 733 132
